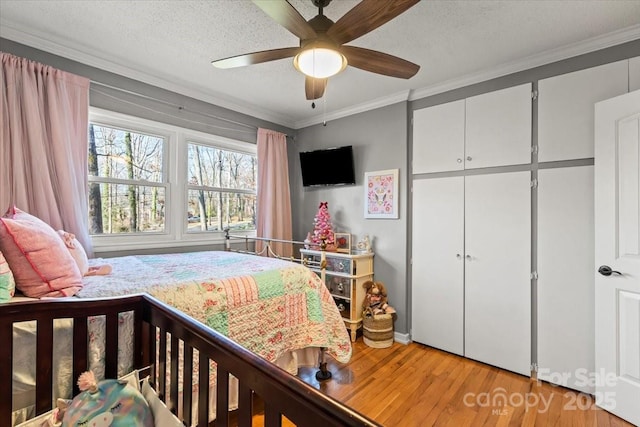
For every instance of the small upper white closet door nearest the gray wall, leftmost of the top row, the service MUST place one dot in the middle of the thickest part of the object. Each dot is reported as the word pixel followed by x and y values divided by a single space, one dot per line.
pixel 438 138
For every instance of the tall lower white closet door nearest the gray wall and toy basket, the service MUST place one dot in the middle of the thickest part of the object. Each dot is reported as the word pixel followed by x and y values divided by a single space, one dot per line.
pixel 437 267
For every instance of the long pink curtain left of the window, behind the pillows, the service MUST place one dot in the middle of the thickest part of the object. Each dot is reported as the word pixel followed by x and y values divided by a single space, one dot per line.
pixel 43 144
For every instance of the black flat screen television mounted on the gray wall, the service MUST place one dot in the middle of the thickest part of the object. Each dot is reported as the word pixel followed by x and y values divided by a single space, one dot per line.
pixel 331 166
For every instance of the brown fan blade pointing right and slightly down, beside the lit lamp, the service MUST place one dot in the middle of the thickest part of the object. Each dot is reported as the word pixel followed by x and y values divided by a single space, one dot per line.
pixel 378 62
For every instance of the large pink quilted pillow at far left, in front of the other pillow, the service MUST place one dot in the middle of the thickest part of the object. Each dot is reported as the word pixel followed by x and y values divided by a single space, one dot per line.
pixel 41 264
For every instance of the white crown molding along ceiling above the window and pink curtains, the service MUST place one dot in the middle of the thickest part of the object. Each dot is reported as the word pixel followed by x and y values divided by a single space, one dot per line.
pixel 75 53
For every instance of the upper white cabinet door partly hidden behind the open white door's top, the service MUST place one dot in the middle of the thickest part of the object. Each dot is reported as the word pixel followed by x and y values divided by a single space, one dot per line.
pixel 566 105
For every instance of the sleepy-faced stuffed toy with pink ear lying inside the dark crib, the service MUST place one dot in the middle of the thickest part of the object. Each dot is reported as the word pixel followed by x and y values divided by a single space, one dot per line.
pixel 107 403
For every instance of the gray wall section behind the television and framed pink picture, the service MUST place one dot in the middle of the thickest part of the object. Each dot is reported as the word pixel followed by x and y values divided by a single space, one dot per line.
pixel 379 140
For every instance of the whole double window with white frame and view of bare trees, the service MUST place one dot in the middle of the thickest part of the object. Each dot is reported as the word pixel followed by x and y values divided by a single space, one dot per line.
pixel 157 185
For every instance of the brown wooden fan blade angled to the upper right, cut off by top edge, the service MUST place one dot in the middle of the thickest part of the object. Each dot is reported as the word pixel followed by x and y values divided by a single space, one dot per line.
pixel 366 16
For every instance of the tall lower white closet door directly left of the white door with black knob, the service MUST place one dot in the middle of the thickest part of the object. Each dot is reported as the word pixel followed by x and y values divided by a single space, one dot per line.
pixel 565 277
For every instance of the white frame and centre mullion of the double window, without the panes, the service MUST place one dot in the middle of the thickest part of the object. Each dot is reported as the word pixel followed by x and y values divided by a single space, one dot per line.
pixel 175 168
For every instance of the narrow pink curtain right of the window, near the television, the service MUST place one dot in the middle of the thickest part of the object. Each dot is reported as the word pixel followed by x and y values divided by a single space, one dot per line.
pixel 274 199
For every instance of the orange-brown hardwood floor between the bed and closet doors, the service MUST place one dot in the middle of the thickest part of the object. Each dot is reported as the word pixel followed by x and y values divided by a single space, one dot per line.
pixel 415 385
